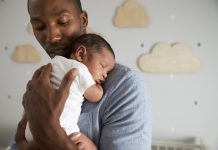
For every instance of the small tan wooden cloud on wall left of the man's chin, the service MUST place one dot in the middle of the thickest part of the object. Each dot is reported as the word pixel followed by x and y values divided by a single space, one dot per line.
pixel 26 54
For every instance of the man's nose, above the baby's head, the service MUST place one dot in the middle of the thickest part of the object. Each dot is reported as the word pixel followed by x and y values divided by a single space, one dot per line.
pixel 53 34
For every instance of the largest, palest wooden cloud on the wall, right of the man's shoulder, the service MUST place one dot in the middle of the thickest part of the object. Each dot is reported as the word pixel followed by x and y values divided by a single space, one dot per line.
pixel 166 58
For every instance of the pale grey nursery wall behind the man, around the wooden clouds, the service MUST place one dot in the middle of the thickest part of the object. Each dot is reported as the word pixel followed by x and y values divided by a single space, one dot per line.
pixel 174 96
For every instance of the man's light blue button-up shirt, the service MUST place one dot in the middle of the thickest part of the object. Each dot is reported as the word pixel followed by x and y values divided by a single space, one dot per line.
pixel 122 119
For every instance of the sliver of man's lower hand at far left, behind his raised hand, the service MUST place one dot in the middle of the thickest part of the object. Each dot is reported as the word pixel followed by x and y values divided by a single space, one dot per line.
pixel 20 134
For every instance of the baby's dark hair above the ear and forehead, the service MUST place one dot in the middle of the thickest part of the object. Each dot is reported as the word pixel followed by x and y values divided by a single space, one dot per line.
pixel 92 42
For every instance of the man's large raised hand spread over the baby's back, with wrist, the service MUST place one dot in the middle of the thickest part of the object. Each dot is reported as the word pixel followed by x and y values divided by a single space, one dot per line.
pixel 43 106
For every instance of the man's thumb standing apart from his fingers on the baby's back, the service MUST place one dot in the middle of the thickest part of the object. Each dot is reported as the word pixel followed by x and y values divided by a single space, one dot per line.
pixel 68 79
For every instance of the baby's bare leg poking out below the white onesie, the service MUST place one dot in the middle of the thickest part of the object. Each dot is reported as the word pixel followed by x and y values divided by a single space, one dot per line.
pixel 82 142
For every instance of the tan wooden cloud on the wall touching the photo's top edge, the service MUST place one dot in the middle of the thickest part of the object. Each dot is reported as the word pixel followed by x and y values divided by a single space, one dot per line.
pixel 131 14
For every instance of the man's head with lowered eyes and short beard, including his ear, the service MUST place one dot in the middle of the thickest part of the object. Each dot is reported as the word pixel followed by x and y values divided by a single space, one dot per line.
pixel 56 23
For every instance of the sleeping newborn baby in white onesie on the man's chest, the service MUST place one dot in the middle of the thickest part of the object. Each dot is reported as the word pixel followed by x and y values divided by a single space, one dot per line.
pixel 94 58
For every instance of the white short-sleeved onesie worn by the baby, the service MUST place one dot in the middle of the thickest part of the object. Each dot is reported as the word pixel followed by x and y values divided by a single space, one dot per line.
pixel 72 108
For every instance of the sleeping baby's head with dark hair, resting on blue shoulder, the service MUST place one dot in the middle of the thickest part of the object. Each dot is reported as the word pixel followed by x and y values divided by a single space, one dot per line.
pixel 96 53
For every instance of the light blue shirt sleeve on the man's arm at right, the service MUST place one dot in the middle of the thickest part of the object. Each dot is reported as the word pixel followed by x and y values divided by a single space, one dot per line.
pixel 127 115
